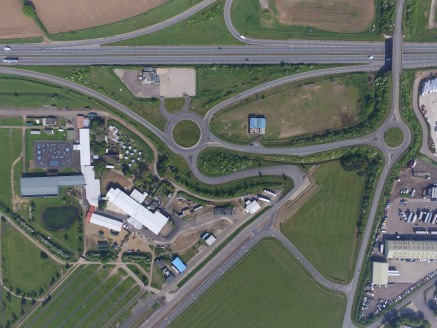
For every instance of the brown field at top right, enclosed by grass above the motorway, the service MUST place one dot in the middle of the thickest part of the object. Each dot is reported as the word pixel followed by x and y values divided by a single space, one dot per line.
pixel 332 15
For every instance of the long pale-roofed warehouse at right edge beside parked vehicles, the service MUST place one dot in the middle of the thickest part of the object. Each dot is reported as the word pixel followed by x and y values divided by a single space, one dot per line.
pixel 411 249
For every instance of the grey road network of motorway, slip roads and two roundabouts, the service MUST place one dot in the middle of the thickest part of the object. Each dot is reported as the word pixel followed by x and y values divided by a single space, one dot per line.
pixel 394 54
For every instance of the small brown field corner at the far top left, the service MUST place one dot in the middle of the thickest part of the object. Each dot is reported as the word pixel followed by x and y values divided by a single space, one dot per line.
pixel 13 23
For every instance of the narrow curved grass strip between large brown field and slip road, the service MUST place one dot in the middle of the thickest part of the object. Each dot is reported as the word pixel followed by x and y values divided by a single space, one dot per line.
pixel 156 15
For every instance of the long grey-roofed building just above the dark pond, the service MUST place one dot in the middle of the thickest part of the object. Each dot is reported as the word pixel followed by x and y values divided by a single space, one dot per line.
pixel 48 186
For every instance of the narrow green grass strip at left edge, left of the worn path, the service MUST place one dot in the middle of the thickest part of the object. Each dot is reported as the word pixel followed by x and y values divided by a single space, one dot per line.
pixel 10 148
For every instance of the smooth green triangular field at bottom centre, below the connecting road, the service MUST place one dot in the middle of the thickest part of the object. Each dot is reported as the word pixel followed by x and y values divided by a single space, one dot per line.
pixel 268 288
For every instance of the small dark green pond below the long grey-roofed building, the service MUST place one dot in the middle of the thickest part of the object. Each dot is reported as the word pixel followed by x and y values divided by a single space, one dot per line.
pixel 60 217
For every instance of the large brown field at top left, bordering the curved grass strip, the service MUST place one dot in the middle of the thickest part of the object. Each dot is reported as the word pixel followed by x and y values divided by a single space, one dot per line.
pixel 66 15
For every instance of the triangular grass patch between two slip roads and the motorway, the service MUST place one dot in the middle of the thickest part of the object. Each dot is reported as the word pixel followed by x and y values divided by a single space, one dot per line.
pixel 206 27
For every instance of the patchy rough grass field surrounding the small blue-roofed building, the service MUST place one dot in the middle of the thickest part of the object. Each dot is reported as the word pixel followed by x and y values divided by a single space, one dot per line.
pixel 293 111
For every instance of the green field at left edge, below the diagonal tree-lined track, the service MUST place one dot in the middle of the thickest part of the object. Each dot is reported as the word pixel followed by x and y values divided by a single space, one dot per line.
pixel 22 265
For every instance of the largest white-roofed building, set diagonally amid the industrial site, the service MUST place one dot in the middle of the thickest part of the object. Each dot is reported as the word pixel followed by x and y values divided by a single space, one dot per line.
pixel 152 221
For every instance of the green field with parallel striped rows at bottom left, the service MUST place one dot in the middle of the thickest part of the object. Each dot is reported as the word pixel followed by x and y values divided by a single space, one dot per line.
pixel 90 297
